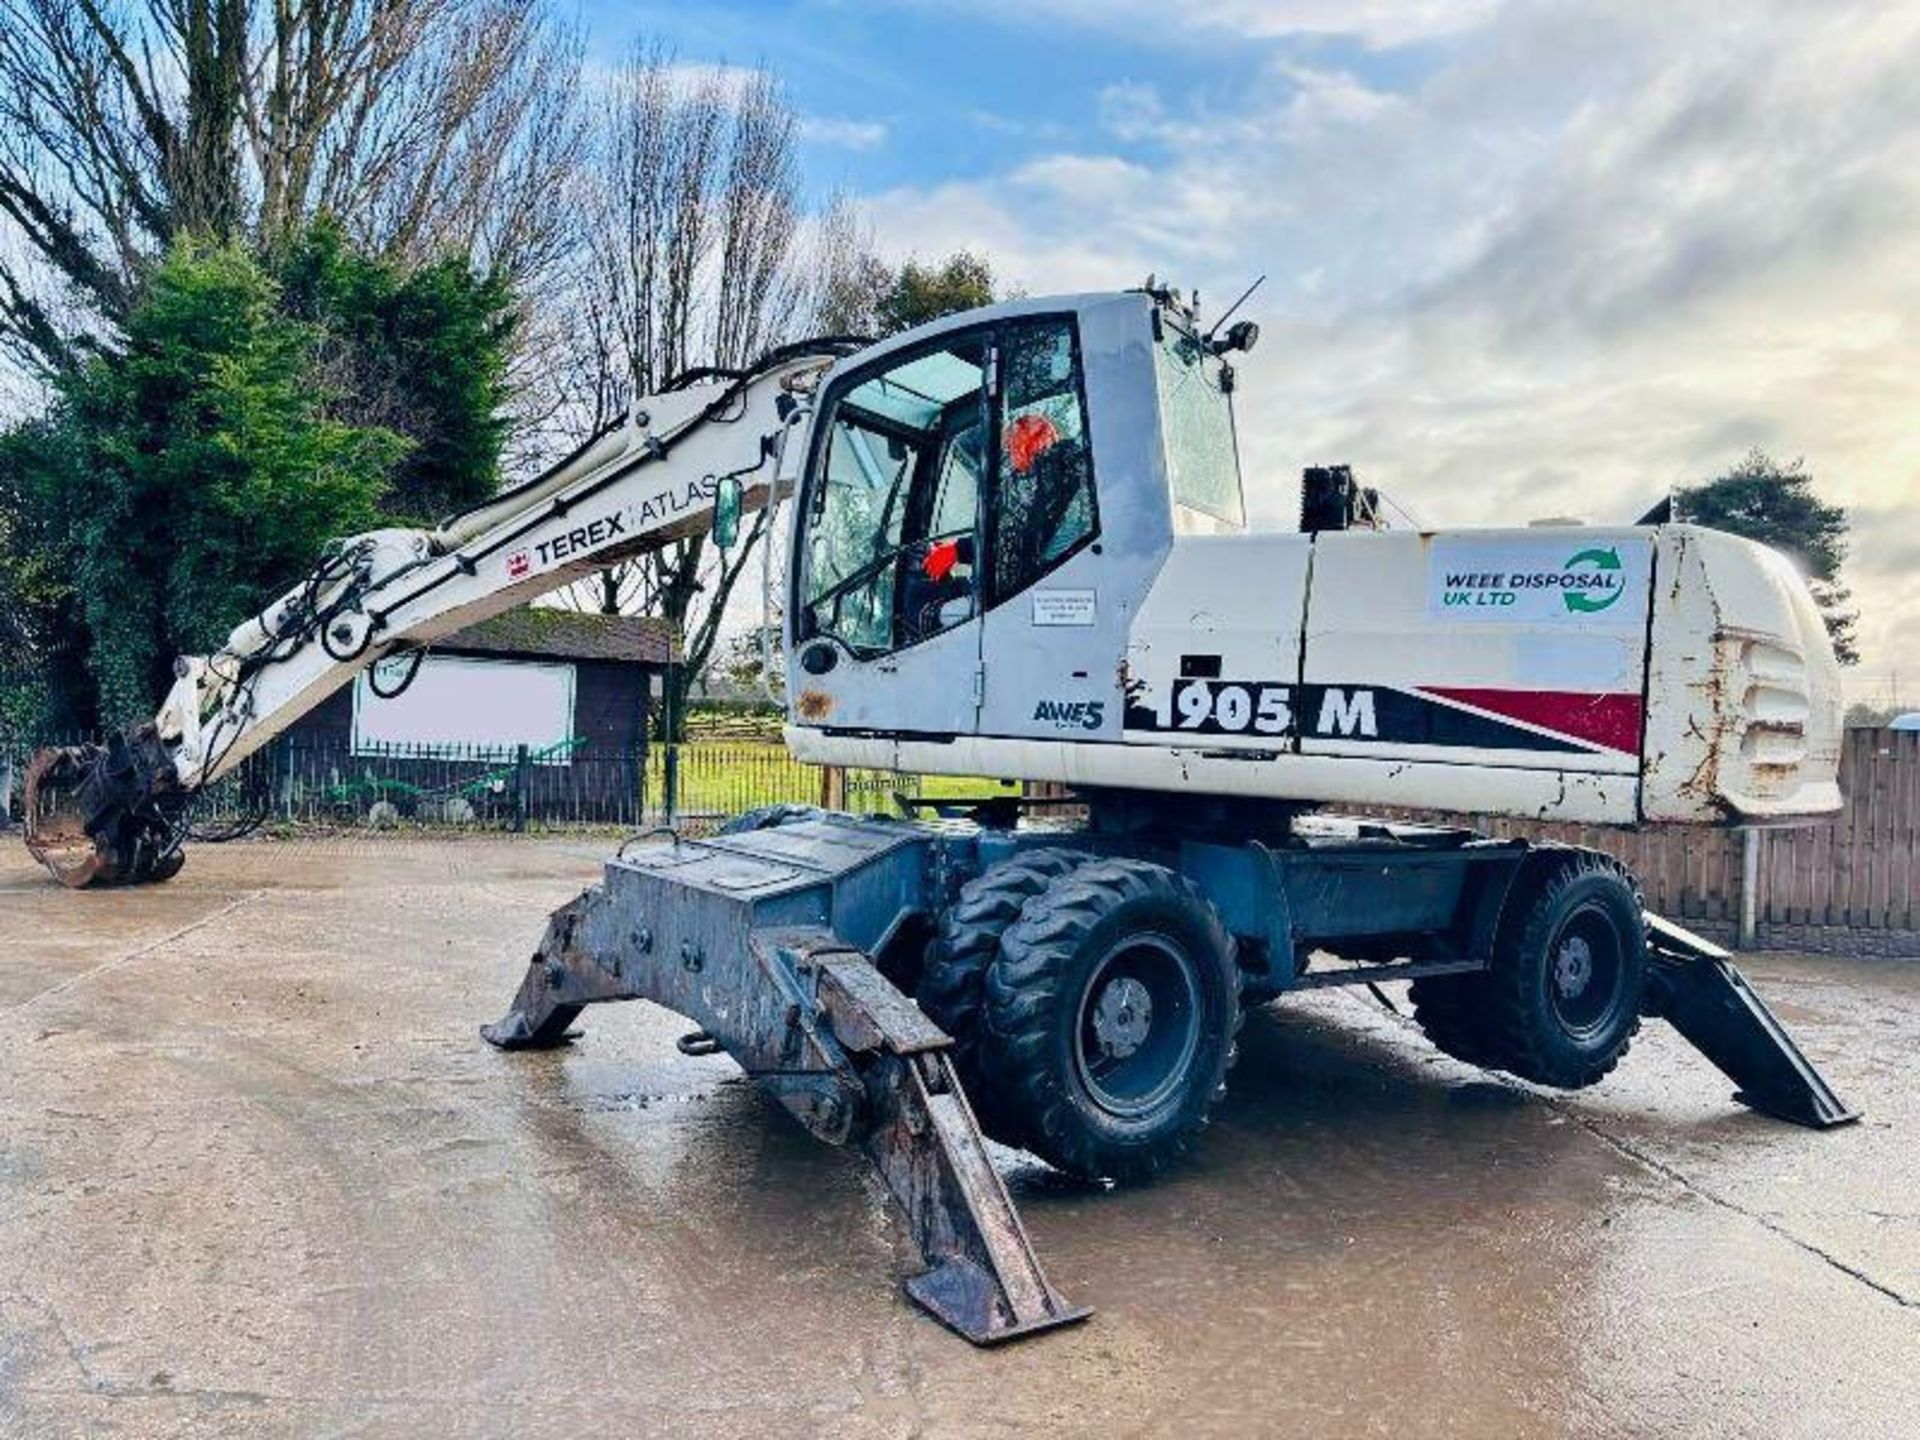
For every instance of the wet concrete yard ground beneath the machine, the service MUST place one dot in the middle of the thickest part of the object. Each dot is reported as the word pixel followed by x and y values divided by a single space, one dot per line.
pixel 258 1176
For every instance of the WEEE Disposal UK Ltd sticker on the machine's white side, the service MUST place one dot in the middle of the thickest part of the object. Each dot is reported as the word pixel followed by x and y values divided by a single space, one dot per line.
pixel 1560 579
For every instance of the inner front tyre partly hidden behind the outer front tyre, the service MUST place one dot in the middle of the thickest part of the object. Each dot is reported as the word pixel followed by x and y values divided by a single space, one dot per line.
pixel 955 978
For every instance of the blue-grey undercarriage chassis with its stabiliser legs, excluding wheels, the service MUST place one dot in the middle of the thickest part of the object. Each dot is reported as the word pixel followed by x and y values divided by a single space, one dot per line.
pixel 775 946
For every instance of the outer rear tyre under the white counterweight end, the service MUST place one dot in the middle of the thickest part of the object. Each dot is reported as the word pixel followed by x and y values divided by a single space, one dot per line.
pixel 1570 971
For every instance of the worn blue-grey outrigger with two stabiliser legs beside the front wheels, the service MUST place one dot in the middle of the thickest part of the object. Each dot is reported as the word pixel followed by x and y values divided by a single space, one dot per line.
pixel 834 1042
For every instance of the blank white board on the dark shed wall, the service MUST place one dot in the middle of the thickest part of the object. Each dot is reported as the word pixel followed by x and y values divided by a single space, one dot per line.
pixel 466 706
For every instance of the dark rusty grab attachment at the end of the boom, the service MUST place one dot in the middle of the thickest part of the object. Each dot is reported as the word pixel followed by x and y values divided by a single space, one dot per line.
pixel 97 815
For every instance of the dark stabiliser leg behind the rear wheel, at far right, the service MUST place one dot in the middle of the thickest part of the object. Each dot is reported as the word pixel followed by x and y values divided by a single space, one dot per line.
pixel 1698 992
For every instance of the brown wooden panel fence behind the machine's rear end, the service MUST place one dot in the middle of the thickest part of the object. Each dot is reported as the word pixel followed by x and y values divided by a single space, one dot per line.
pixel 1848 886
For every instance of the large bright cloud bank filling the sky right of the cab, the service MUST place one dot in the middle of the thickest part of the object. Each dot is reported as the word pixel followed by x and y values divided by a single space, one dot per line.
pixel 1604 249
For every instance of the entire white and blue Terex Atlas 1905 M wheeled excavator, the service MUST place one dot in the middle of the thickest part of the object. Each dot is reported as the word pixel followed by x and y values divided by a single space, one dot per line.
pixel 1019 548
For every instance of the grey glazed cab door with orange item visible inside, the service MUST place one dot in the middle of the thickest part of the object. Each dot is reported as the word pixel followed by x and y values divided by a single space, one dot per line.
pixel 888 579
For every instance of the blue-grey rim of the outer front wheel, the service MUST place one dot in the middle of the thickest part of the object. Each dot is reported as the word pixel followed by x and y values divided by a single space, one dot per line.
pixel 1138 1026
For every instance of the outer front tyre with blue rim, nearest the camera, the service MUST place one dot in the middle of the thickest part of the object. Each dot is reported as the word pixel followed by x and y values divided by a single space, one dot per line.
pixel 1099 1097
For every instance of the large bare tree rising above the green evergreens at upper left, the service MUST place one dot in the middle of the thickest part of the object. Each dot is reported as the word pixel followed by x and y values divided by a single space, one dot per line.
pixel 425 126
